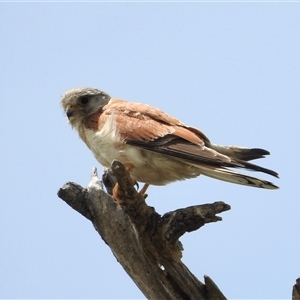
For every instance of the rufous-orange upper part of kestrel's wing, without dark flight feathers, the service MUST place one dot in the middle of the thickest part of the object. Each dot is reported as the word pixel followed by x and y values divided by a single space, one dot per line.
pixel 143 123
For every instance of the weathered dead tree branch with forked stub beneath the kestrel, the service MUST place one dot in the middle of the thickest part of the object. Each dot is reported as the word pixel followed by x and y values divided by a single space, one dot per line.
pixel 145 243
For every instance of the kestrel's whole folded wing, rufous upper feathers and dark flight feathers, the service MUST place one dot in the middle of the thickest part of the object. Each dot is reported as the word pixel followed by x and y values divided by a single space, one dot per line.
pixel 151 129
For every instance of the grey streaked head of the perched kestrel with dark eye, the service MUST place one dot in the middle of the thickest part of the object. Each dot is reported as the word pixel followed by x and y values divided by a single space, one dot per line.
pixel 80 103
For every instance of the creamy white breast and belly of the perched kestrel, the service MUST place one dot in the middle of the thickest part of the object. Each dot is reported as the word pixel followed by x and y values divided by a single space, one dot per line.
pixel 147 166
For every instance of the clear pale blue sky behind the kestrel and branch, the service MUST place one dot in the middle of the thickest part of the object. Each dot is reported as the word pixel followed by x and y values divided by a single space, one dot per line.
pixel 230 69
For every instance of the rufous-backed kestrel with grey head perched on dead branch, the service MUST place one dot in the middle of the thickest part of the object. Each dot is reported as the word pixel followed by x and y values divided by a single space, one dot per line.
pixel 155 147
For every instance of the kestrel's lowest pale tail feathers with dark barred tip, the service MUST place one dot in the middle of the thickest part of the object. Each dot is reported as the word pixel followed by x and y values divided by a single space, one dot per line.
pixel 234 177
